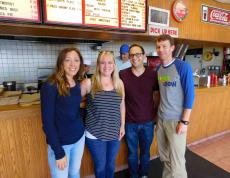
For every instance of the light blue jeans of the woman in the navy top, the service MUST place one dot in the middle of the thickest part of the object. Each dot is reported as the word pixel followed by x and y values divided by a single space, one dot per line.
pixel 74 154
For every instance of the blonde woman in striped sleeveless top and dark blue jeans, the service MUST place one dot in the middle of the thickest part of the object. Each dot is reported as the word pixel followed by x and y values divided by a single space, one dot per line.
pixel 105 117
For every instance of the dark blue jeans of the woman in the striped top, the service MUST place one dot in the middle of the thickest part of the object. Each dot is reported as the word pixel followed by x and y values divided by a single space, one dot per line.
pixel 104 155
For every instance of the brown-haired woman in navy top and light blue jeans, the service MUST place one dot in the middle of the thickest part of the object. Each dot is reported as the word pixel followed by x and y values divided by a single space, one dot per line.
pixel 63 127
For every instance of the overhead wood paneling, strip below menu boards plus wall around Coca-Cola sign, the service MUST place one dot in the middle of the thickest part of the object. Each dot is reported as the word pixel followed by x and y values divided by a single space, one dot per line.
pixel 191 30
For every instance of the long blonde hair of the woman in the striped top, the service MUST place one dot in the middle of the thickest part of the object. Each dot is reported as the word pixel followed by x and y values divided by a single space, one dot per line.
pixel 96 78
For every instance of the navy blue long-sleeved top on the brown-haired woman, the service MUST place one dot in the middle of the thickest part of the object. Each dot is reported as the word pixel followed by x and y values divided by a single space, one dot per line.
pixel 61 117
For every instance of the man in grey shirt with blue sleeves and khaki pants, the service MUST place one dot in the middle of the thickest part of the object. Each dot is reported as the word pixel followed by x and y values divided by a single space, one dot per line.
pixel 176 100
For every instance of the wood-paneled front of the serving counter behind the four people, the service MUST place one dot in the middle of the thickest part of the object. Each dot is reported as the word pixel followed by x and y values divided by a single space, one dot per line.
pixel 23 147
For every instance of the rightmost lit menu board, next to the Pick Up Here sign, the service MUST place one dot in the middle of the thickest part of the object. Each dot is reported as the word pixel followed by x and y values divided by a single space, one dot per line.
pixel 133 14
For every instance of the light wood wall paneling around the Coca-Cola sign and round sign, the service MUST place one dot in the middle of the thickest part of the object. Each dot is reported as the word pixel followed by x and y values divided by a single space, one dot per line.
pixel 192 27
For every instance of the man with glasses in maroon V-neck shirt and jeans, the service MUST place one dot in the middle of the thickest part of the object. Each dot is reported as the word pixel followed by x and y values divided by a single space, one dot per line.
pixel 141 94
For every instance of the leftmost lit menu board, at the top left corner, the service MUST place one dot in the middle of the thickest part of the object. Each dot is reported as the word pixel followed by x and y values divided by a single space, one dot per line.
pixel 20 10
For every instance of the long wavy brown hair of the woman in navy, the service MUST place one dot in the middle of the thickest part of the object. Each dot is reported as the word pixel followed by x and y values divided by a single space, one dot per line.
pixel 59 77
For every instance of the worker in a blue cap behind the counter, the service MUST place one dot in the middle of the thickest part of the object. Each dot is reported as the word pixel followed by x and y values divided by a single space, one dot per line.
pixel 122 61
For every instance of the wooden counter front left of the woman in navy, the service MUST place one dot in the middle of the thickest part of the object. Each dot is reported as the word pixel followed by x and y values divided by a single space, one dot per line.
pixel 22 148
